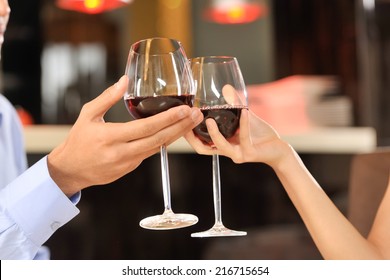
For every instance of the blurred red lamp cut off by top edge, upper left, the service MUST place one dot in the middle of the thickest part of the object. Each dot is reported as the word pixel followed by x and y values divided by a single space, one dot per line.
pixel 91 6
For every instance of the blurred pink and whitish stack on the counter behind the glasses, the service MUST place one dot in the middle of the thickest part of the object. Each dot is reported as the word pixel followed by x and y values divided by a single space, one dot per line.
pixel 301 102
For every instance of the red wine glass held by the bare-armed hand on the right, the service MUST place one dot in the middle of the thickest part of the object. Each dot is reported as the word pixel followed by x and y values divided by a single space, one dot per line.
pixel 221 95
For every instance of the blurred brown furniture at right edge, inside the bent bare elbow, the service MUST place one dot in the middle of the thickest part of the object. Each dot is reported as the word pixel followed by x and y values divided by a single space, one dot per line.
pixel 368 181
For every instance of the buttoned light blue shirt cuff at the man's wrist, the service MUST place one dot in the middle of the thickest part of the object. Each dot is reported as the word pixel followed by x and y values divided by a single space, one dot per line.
pixel 37 204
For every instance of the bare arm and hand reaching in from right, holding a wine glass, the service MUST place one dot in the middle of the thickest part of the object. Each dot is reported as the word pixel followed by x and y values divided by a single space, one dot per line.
pixel 333 234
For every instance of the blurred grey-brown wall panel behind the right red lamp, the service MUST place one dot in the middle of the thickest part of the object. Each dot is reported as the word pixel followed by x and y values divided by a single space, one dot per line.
pixel 252 43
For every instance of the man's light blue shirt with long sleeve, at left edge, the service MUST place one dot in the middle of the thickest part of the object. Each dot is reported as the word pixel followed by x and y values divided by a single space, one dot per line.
pixel 32 207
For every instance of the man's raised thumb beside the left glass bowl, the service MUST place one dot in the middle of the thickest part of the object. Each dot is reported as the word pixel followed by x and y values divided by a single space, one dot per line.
pixel 101 104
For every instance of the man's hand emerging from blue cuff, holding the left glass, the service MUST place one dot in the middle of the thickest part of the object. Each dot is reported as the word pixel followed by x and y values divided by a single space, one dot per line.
pixel 98 152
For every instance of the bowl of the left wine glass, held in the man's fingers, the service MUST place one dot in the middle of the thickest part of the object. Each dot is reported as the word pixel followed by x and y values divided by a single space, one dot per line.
pixel 158 68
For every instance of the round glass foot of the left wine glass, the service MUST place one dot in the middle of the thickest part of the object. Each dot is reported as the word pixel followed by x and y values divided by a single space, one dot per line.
pixel 168 221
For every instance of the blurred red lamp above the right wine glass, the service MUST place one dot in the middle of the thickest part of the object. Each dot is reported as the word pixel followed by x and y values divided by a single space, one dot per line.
pixel 243 13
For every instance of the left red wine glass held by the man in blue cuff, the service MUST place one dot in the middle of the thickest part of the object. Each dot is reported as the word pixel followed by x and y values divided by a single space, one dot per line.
pixel 159 78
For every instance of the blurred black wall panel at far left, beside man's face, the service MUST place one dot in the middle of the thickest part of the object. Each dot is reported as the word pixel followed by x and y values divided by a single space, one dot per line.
pixel 21 57
